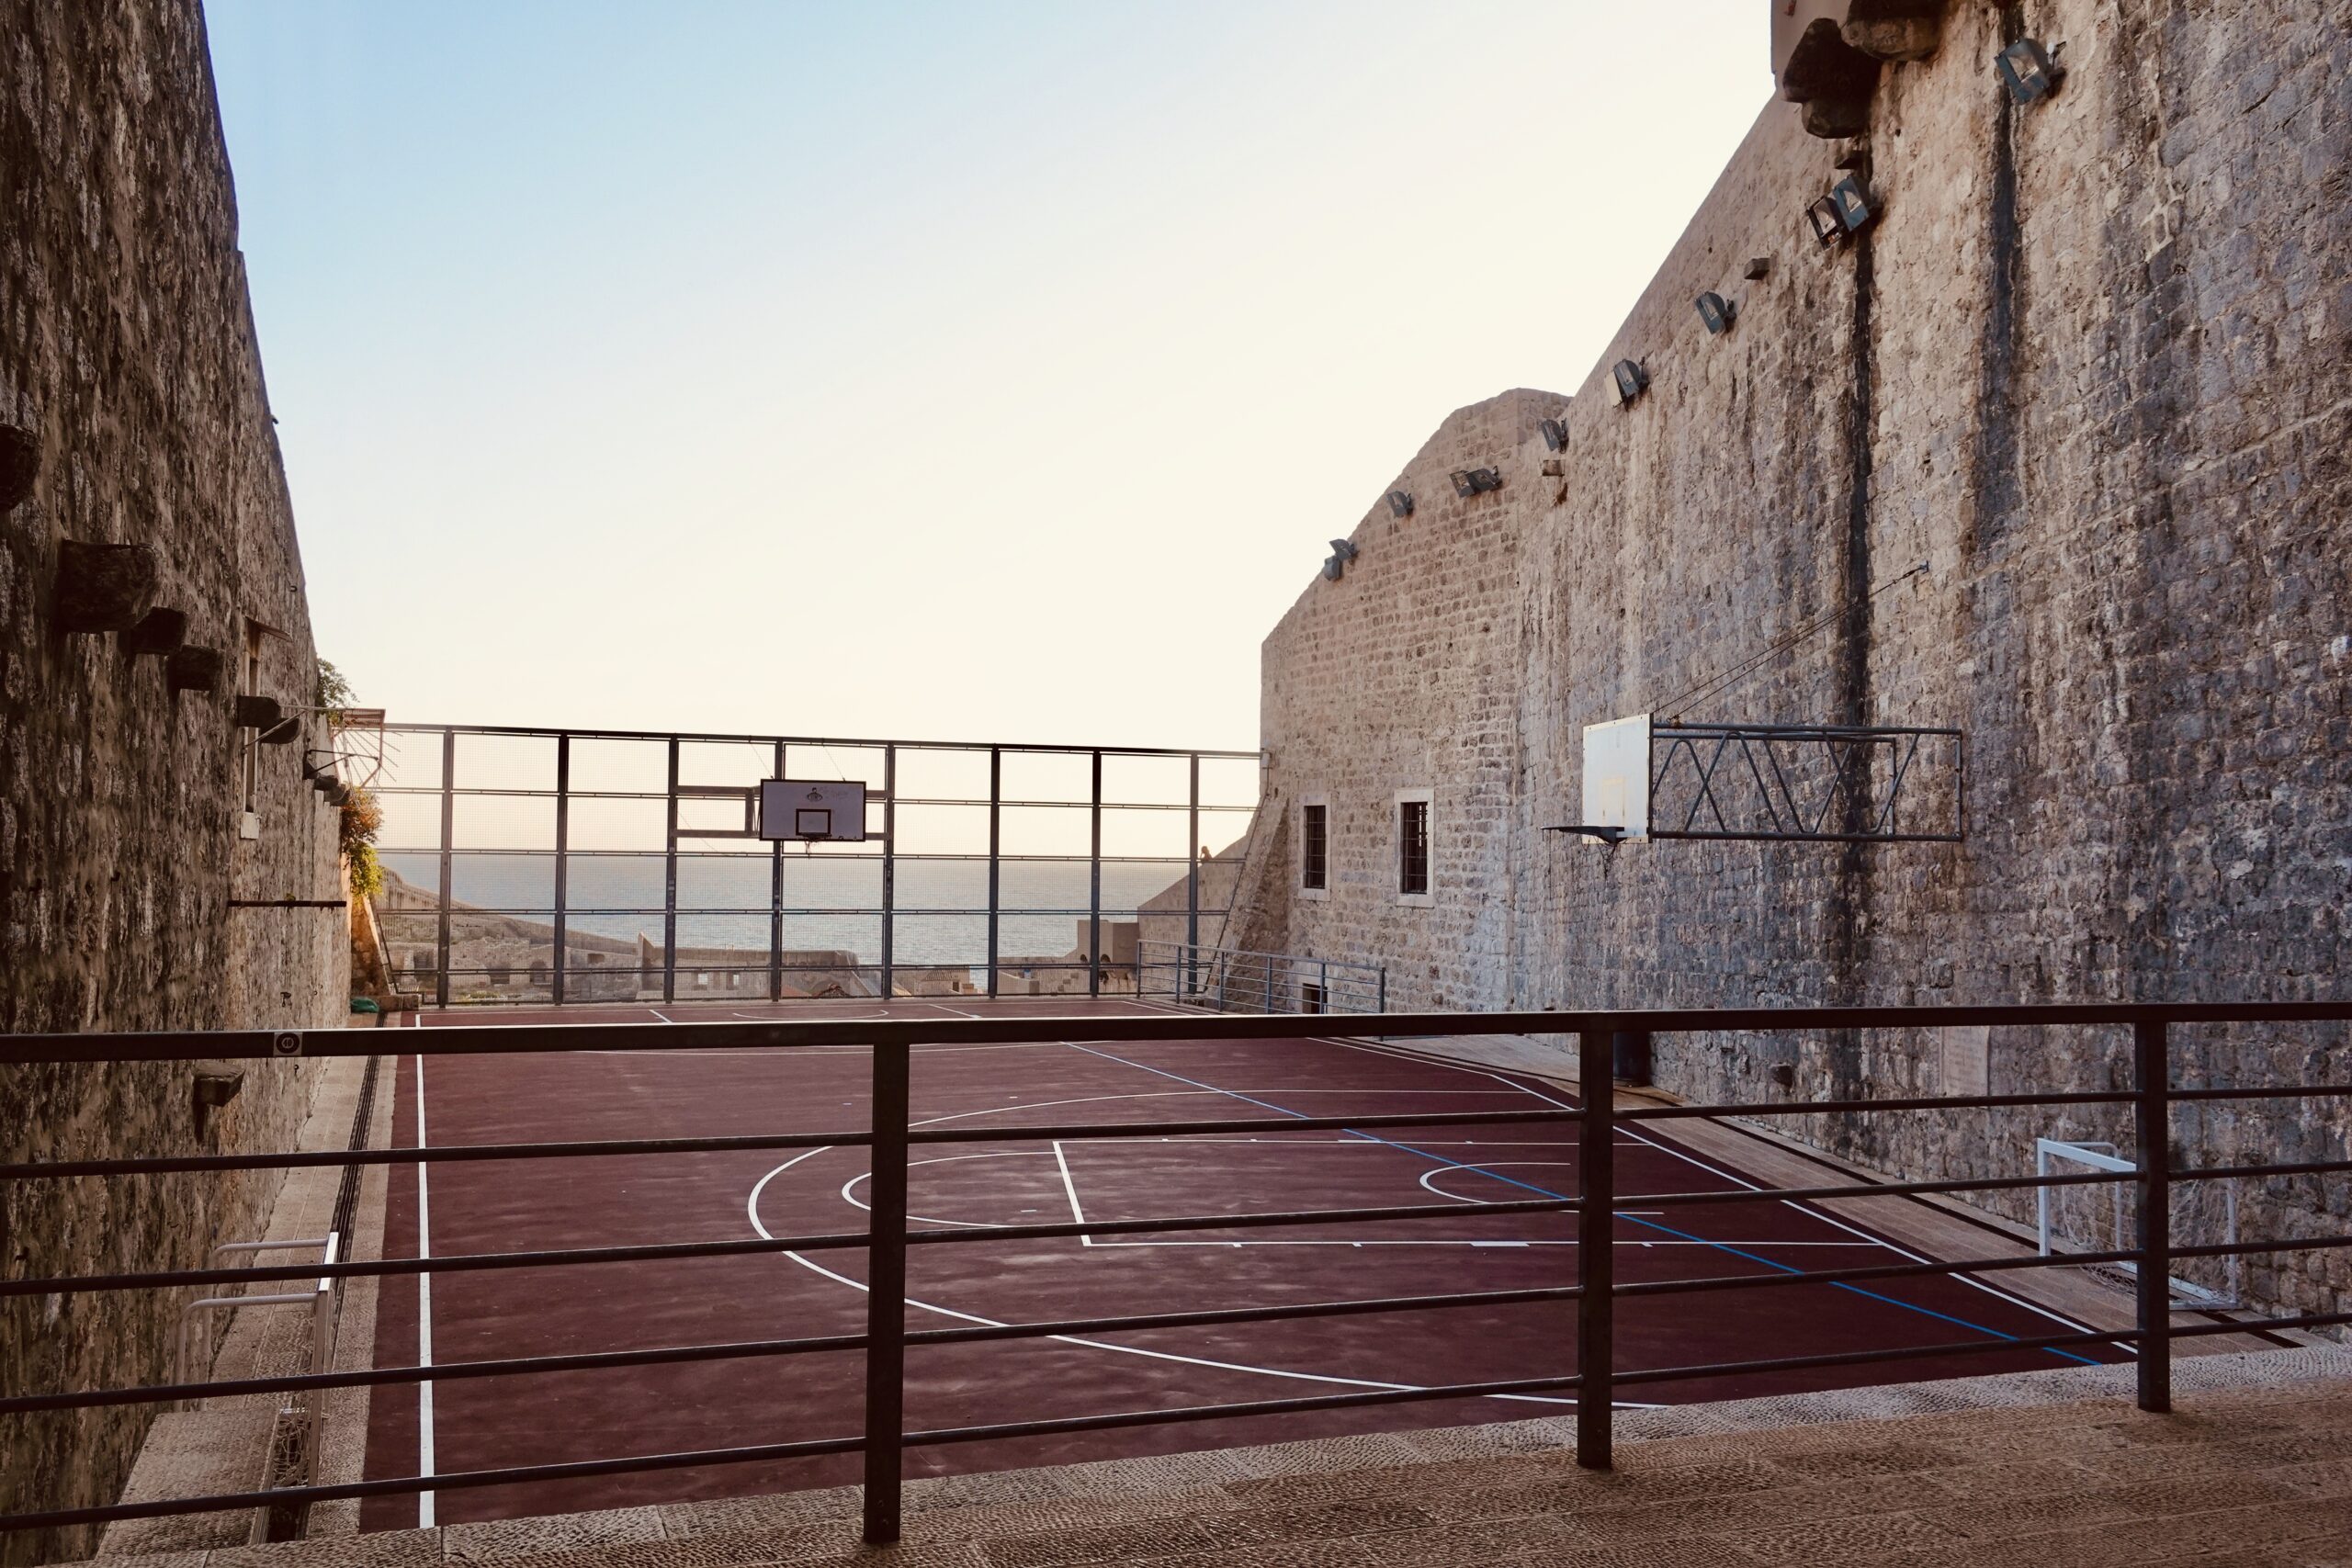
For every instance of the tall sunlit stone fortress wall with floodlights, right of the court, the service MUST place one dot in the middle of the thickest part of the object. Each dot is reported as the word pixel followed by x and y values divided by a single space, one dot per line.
pixel 2092 370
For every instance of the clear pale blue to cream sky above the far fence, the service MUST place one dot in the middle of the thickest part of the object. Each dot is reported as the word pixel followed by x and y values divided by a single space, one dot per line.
pixel 933 373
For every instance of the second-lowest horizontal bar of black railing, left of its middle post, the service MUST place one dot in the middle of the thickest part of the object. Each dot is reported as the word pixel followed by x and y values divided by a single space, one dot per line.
pixel 737 1351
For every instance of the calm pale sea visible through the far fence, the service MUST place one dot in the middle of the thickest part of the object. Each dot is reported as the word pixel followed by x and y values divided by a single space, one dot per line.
pixel 831 902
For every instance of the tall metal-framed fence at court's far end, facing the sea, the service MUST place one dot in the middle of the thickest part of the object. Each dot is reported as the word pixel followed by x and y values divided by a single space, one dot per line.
pixel 888 911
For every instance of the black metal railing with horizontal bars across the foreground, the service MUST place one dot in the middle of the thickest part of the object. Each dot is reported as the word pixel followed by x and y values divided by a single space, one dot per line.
pixel 883 1440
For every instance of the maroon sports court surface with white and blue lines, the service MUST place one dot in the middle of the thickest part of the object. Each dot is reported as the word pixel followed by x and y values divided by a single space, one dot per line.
pixel 1062 1078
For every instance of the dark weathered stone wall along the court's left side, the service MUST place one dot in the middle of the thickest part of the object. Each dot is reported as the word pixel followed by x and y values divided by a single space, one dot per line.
pixel 128 349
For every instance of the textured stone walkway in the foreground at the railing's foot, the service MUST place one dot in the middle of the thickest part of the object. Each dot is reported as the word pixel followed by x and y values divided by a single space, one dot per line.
pixel 2040 1468
